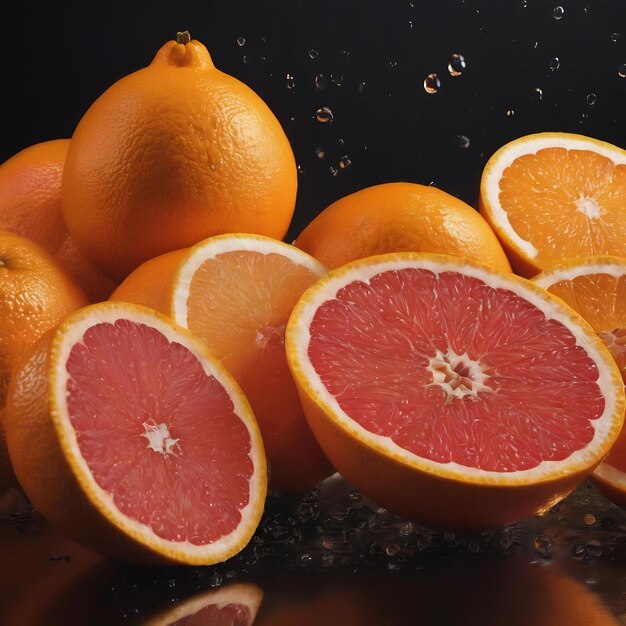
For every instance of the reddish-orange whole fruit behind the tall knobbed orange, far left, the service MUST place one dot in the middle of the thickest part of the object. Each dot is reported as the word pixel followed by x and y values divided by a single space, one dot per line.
pixel 30 206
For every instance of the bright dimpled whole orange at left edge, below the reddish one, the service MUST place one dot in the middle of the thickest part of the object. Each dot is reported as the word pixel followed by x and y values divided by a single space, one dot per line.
pixel 35 295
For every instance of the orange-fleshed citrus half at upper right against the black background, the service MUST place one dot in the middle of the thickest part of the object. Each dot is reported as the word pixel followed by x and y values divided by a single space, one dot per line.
pixel 555 196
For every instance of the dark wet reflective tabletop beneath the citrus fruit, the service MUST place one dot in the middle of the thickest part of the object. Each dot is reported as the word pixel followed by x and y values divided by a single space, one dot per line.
pixel 333 557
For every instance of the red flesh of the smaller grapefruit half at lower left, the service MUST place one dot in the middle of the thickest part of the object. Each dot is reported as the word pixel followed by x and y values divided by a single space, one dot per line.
pixel 158 432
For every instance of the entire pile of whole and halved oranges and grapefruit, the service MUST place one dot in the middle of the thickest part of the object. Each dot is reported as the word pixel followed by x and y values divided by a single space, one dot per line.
pixel 163 354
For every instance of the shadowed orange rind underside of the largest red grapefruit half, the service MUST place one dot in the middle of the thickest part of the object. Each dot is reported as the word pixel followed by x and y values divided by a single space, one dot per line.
pixel 435 500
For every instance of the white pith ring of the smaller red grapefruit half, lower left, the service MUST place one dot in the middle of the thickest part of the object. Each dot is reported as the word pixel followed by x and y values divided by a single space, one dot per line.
pixel 72 335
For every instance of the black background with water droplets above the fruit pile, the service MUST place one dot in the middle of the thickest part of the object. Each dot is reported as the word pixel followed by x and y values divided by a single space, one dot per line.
pixel 374 56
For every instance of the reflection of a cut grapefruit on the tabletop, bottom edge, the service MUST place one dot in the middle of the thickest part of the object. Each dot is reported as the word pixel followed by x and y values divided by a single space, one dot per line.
pixel 234 605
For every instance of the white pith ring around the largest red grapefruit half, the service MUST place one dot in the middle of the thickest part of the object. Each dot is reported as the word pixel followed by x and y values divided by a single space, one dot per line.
pixel 298 338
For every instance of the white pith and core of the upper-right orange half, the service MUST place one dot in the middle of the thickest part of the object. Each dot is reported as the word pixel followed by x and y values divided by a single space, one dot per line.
pixel 508 154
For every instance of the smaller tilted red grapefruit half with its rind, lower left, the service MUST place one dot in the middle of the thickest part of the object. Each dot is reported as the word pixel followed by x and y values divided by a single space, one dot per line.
pixel 125 431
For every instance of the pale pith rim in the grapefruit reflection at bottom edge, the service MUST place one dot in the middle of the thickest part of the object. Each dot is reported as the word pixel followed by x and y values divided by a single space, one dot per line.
pixel 245 594
